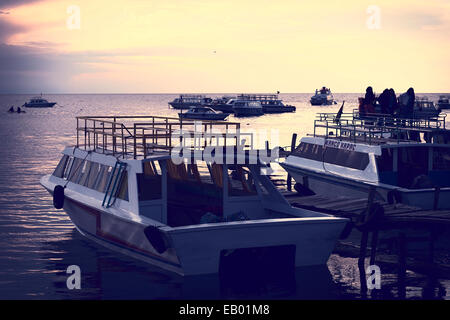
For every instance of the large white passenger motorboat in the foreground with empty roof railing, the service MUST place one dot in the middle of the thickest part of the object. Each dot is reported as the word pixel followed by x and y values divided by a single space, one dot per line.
pixel 151 195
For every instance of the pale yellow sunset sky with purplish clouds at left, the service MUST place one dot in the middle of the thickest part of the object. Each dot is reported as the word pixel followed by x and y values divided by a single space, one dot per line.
pixel 158 46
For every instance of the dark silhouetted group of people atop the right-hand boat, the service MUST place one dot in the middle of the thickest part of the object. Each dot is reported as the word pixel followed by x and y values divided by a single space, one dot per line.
pixel 387 103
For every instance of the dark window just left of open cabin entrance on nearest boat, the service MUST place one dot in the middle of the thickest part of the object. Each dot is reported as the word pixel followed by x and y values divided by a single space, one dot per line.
pixel 149 183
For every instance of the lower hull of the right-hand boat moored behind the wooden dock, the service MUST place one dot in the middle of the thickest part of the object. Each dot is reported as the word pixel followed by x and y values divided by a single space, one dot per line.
pixel 326 184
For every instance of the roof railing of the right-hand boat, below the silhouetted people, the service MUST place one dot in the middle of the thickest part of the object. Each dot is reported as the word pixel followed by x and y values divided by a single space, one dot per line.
pixel 376 129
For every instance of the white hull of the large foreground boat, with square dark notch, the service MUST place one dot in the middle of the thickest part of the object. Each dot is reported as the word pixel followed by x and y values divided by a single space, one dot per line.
pixel 197 249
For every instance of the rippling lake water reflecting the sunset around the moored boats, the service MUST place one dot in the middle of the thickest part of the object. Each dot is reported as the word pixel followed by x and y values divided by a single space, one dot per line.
pixel 38 242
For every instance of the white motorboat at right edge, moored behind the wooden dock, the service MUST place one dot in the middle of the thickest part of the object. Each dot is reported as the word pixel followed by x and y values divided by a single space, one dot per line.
pixel 403 159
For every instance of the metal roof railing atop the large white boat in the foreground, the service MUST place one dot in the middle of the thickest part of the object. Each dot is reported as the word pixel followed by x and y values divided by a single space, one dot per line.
pixel 137 137
